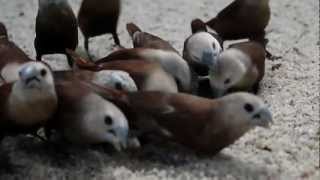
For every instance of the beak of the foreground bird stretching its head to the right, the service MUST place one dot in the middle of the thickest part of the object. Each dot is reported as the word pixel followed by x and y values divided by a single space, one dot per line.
pixel 264 118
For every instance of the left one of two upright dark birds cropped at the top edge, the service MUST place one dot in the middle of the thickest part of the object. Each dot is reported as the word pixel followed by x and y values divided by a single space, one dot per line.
pixel 56 29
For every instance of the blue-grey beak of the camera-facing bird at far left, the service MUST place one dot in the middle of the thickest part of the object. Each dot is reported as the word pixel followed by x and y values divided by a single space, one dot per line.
pixel 29 75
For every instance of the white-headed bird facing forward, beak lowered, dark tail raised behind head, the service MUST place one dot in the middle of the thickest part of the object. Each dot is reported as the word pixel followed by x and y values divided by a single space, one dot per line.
pixel 201 48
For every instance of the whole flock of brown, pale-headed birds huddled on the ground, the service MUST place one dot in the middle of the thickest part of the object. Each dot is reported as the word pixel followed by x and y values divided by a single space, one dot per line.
pixel 203 99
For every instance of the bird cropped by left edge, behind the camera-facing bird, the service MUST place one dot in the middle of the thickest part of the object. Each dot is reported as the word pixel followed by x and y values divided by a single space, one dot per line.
pixel 11 57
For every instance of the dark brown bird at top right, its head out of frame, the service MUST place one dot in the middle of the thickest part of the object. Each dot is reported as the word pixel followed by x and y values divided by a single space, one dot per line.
pixel 243 19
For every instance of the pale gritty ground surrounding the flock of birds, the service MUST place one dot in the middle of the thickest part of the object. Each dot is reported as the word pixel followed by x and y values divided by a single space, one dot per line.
pixel 289 150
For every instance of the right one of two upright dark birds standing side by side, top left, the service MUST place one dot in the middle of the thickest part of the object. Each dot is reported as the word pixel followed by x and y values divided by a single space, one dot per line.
pixel 98 17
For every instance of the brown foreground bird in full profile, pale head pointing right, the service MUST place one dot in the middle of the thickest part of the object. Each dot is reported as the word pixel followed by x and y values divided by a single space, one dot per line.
pixel 208 125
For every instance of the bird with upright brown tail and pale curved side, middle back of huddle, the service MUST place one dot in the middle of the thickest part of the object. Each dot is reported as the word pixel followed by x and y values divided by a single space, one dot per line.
pixel 157 49
